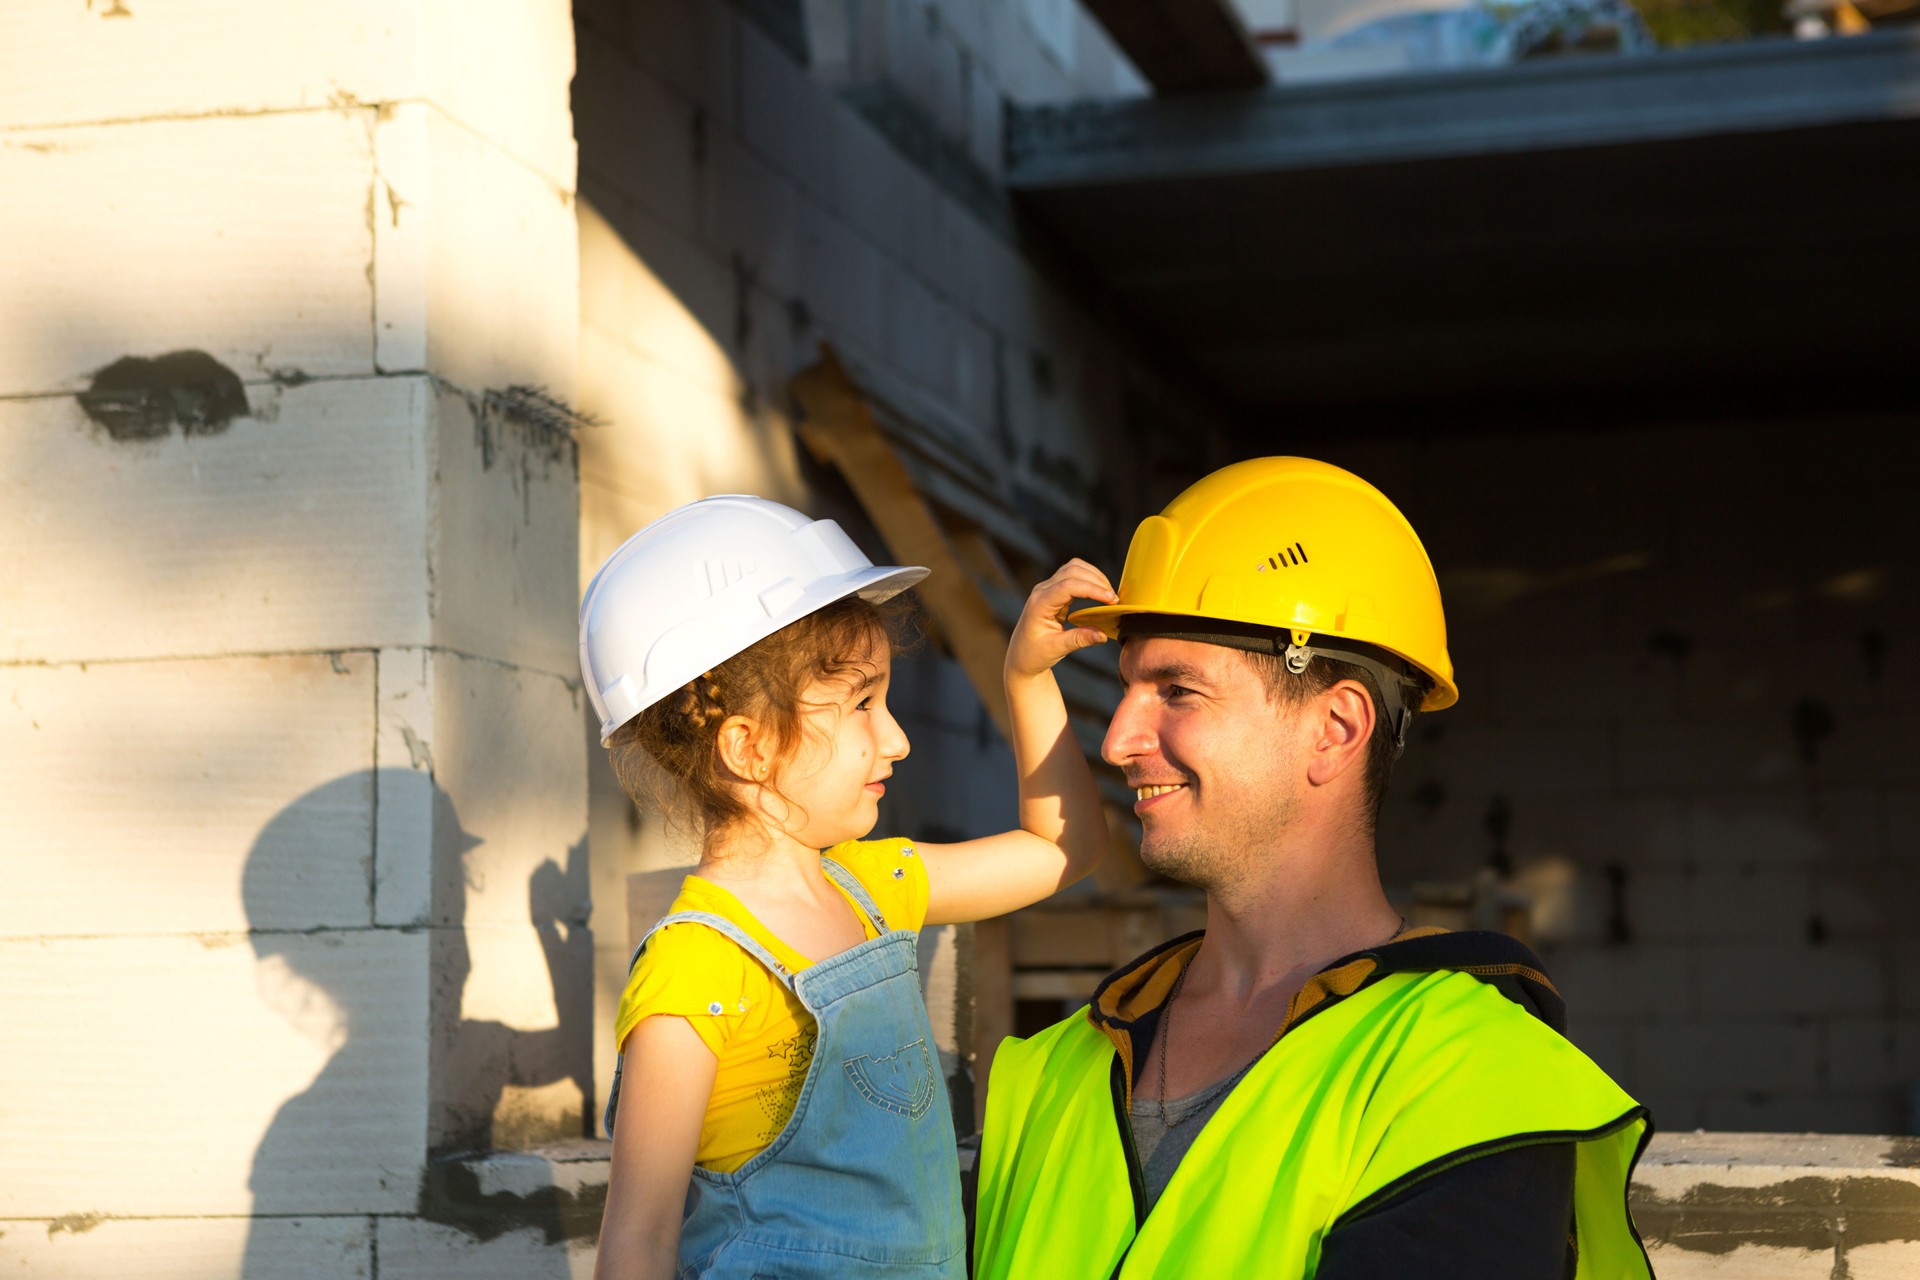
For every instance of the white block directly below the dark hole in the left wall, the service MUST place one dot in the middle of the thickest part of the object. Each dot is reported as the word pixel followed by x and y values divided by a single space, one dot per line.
pixel 300 529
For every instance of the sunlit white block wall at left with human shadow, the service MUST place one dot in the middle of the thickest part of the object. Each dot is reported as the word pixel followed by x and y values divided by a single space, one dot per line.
pixel 293 797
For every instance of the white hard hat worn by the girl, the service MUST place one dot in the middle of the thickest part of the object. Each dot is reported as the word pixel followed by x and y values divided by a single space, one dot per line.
pixel 702 584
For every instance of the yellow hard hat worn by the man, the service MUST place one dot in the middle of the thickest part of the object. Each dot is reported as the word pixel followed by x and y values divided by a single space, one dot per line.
pixel 1297 548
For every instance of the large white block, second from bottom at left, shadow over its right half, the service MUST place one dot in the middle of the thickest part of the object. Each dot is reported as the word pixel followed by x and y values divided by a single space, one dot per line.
pixel 277 1074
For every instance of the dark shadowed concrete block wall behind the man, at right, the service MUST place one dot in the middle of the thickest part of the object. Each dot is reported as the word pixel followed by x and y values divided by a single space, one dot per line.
pixel 1687 665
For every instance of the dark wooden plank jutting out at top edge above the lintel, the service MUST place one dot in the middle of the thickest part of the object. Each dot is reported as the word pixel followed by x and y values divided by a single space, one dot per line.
pixel 1184 47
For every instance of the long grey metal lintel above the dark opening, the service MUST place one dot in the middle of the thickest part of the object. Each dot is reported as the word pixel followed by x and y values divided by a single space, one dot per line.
pixel 1537 107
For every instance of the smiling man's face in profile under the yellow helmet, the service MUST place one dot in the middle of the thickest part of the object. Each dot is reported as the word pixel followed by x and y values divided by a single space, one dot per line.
pixel 1209 755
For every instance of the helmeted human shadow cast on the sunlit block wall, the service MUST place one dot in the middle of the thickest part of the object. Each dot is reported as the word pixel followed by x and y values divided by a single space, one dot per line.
pixel 462 1085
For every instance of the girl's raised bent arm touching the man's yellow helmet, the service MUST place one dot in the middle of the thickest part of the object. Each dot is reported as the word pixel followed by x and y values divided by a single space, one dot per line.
pixel 1063 832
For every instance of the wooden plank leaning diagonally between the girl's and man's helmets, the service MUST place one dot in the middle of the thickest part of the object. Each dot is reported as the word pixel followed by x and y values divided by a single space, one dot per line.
pixel 840 429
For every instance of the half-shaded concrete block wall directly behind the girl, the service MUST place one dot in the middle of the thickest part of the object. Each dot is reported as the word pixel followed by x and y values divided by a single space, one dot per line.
pixel 740 206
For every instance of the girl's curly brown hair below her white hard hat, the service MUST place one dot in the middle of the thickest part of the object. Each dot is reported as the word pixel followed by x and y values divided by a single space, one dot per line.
pixel 667 757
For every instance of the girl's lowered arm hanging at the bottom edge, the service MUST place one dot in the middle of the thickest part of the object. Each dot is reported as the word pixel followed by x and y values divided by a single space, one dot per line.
pixel 665 1087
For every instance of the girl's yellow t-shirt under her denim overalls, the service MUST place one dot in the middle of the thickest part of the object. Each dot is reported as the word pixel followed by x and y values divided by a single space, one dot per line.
pixel 761 1033
